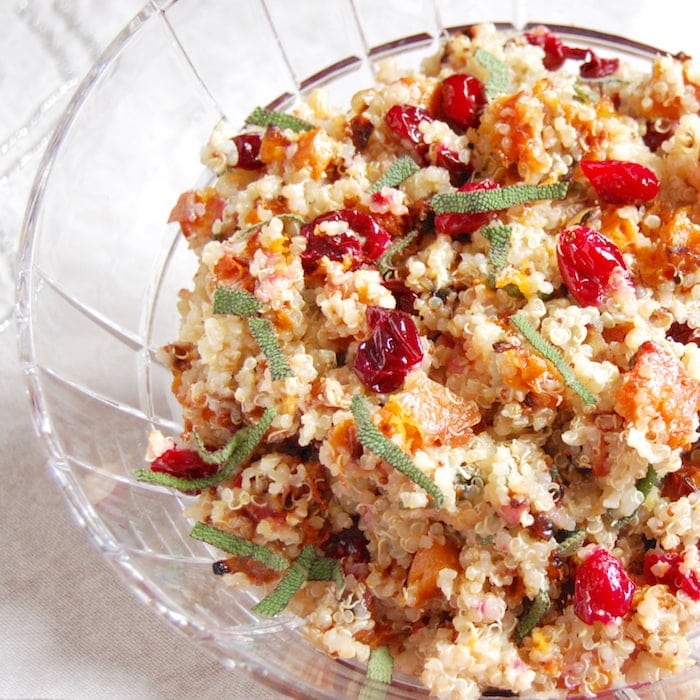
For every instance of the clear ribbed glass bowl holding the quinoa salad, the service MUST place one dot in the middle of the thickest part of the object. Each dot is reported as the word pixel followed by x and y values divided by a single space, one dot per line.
pixel 99 270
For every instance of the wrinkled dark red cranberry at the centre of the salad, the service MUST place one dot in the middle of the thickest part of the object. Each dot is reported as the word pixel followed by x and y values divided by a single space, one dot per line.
pixel 392 350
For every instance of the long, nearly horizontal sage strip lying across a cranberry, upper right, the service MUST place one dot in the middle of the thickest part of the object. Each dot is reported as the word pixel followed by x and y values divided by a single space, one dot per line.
pixel 475 201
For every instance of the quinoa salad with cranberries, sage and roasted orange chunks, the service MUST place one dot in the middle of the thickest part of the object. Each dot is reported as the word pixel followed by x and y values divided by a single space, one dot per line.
pixel 439 367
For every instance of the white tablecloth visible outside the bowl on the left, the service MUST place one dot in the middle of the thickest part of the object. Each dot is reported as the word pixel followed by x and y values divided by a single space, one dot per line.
pixel 68 627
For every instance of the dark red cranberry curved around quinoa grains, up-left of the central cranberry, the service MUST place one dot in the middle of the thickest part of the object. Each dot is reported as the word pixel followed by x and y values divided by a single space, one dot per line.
pixel 373 239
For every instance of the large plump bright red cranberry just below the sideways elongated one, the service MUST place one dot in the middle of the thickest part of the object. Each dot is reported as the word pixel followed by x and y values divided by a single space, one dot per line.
pixel 586 262
